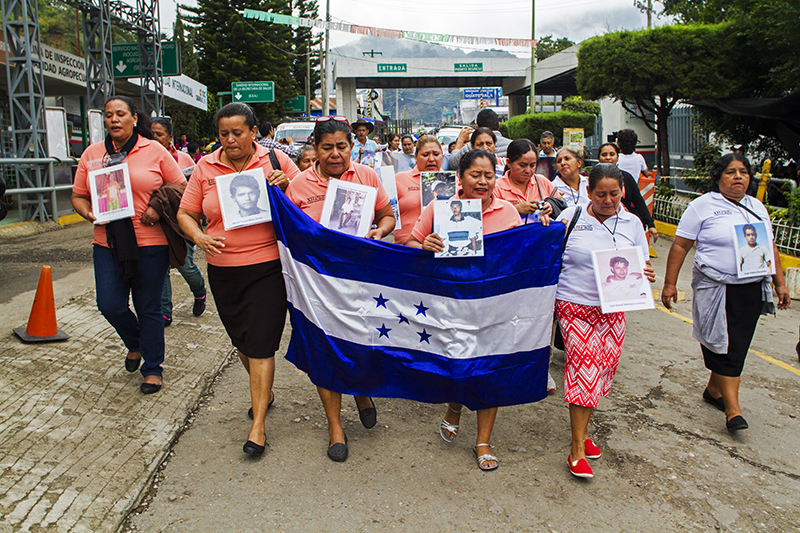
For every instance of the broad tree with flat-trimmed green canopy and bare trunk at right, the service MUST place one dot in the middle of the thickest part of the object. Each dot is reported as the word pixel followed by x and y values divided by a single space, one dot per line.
pixel 649 71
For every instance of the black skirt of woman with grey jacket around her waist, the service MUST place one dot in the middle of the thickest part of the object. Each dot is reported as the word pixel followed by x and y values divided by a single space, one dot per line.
pixel 742 309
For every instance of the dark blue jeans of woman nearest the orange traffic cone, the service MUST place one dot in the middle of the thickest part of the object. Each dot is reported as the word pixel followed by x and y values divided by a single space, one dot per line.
pixel 144 331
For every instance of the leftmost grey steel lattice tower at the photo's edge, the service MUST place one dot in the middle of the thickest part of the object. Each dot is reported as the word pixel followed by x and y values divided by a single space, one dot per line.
pixel 26 94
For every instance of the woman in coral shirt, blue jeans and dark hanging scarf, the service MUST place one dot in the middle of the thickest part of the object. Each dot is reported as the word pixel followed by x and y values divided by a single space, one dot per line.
pixel 130 255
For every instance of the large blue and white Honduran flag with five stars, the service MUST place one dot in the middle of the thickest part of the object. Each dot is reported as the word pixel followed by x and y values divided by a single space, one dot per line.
pixel 378 319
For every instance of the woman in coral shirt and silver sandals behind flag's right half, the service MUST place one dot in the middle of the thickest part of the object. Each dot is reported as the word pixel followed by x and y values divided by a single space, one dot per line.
pixel 476 170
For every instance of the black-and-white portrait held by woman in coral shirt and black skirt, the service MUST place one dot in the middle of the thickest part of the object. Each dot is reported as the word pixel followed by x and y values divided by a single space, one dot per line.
pixel 243 199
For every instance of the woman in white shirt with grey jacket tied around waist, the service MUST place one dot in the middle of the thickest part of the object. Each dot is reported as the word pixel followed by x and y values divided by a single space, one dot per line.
pixel 725 307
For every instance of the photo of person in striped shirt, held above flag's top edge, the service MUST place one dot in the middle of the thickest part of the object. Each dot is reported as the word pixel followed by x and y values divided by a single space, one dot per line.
pixel 459 223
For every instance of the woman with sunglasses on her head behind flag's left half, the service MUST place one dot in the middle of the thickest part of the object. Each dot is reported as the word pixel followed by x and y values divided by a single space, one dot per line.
pixel 333 142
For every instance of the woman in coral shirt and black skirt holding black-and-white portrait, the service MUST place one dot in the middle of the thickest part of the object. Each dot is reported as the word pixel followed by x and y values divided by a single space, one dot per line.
pixel 244 268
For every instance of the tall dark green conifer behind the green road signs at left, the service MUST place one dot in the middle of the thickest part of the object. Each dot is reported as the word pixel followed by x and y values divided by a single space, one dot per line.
pixel 232 48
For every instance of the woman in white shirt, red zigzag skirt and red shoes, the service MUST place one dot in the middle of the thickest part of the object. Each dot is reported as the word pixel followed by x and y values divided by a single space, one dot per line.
pixel 592 339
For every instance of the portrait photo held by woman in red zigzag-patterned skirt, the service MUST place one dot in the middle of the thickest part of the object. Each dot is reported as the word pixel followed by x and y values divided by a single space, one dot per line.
pixel 621 283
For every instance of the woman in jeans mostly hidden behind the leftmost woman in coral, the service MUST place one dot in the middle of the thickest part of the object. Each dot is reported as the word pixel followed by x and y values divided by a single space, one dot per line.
pixel 162 130
